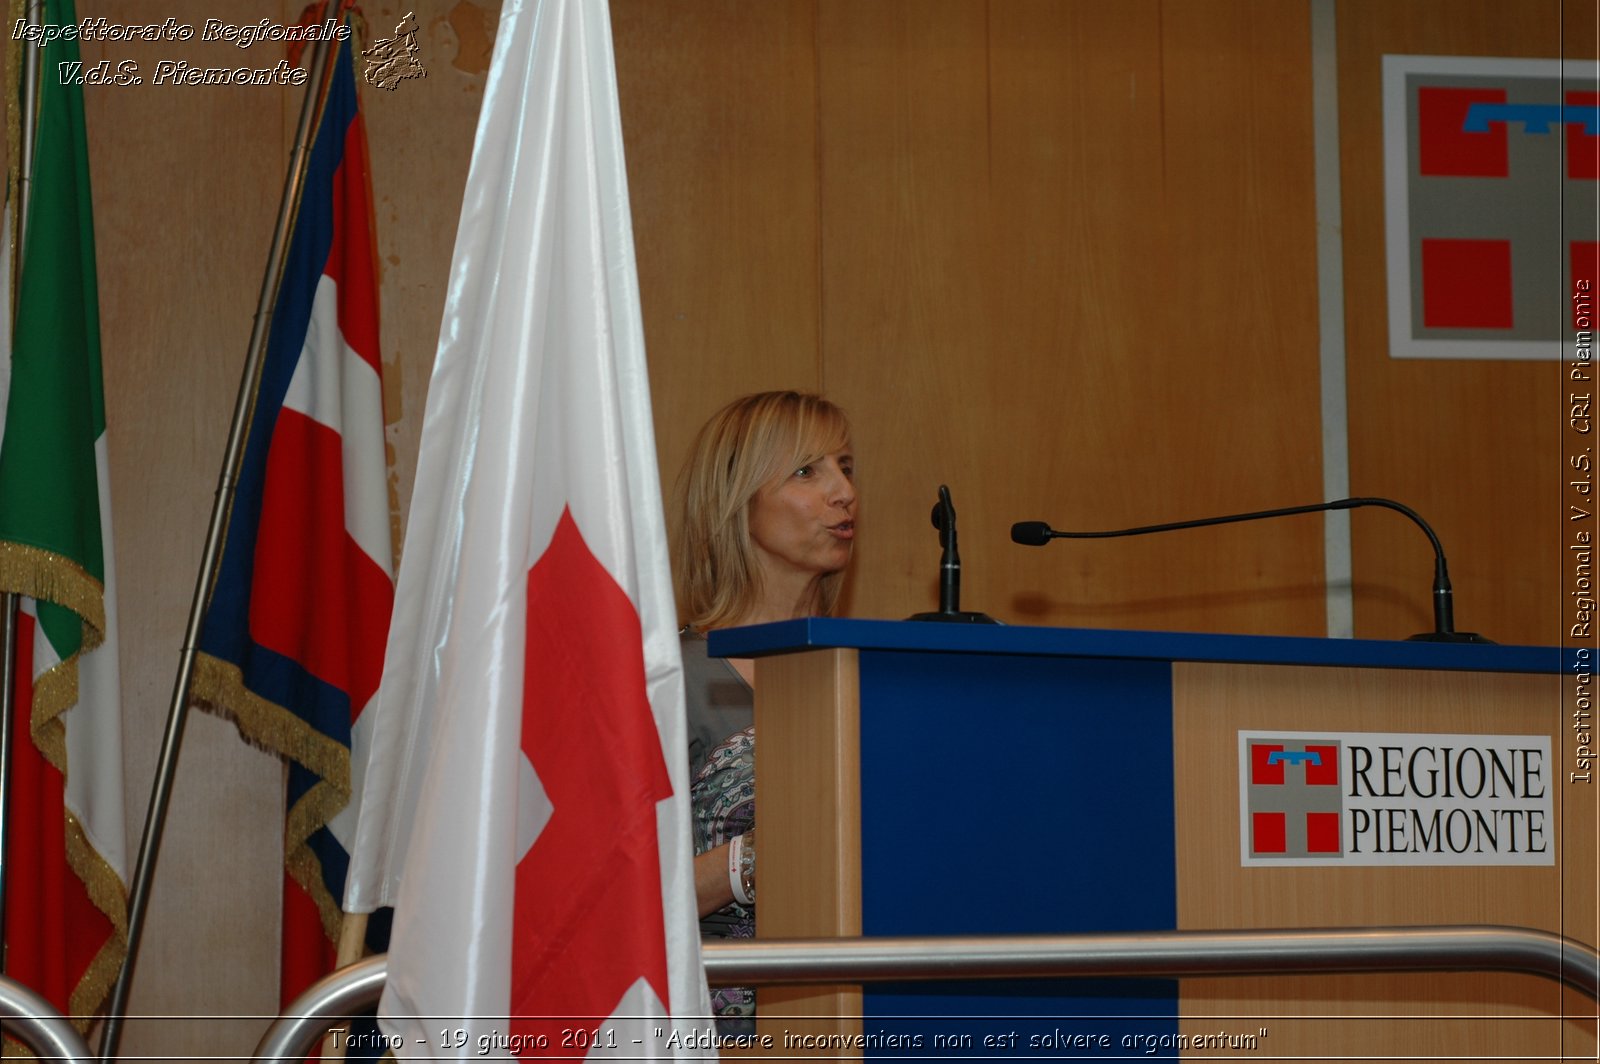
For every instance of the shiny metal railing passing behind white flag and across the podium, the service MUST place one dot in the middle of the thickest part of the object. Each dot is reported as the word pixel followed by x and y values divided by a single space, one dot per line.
pixel 1158 954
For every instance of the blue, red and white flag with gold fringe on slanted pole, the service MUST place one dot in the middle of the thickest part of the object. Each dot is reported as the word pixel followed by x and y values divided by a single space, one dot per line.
pixel 294 639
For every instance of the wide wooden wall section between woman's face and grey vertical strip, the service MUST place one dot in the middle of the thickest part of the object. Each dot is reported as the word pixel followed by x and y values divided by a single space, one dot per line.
pixel 1070 271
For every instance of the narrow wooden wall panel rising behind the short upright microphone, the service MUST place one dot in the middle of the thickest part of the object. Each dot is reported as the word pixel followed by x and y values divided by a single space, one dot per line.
pixel 906 254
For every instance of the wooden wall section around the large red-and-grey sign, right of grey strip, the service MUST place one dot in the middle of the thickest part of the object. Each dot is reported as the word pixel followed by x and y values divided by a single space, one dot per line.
pixel 1473 446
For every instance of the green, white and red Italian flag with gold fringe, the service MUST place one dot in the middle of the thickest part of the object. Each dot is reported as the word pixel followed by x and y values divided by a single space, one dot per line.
pixel 66 866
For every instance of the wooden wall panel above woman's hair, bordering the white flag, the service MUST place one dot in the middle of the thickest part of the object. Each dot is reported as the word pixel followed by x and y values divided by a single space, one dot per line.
pixel 719 119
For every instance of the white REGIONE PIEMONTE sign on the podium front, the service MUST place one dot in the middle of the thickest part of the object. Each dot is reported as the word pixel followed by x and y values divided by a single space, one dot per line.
pixel 1391 799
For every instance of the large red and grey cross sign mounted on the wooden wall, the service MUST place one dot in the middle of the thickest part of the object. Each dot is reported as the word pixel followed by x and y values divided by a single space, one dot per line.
pixel 1490 178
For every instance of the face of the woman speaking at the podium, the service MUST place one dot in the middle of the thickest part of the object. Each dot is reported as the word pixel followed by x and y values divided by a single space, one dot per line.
pixel 804 522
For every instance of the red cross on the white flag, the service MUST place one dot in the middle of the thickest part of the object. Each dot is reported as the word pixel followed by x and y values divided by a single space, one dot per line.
pixel 588 918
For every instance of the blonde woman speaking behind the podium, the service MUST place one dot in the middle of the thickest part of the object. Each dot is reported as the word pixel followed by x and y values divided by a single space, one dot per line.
pixel 767 522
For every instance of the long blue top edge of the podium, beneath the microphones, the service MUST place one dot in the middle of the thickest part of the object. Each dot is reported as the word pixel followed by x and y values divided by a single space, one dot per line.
pixel 1006 639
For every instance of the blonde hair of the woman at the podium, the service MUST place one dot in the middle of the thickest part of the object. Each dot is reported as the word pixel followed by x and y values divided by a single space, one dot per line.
pixel 742 449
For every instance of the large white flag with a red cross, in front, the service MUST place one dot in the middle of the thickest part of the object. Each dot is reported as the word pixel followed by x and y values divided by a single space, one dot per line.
pixel 532 705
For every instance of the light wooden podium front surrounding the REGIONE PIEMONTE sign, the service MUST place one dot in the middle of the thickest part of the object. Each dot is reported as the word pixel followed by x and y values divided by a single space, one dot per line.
pixel 1452 1017
